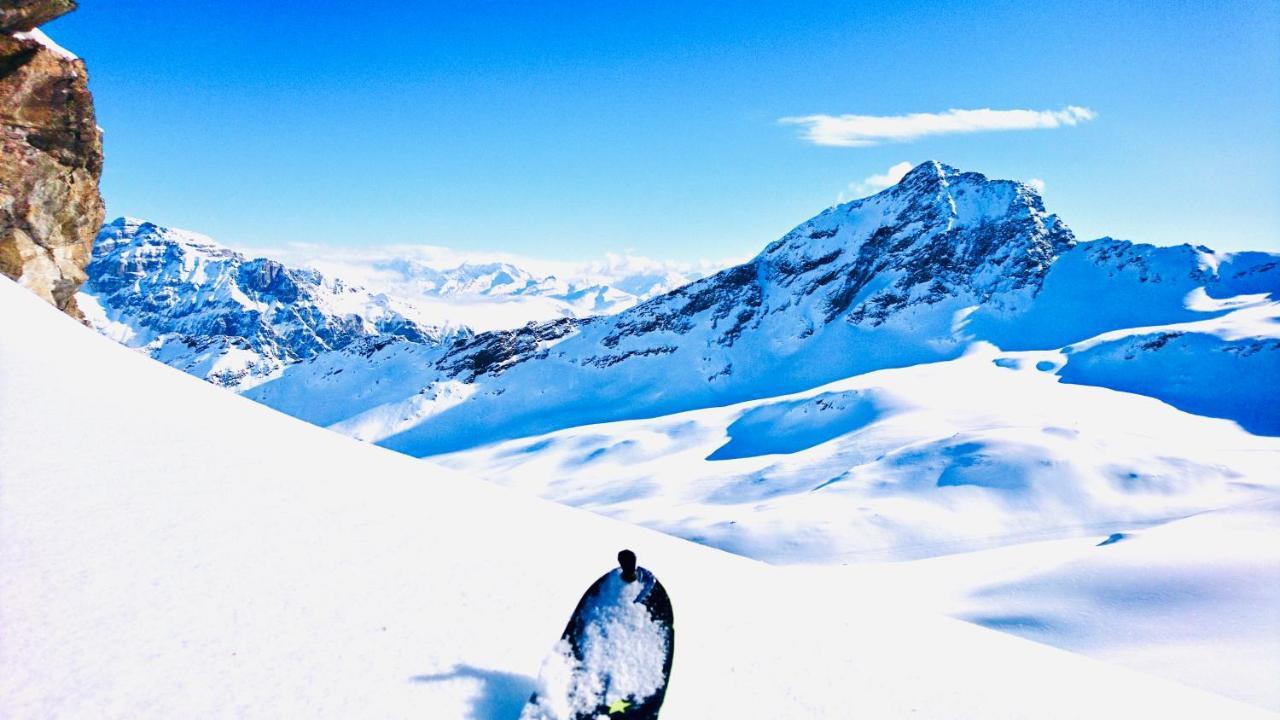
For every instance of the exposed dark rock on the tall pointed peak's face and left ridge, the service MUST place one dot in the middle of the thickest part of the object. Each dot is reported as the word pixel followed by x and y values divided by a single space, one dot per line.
pixel 939 235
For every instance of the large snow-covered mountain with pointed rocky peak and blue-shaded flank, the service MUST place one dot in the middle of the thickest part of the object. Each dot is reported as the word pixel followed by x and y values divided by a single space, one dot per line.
pixel 913 275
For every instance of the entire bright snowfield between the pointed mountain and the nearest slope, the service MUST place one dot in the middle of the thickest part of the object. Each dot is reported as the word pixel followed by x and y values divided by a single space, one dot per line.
pixel 1014 479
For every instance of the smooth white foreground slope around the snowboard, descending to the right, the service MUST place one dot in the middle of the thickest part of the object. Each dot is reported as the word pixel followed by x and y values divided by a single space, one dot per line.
pixel 170 550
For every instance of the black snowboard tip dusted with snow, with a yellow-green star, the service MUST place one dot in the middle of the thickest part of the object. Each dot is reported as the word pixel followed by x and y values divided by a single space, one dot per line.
pixel 614 660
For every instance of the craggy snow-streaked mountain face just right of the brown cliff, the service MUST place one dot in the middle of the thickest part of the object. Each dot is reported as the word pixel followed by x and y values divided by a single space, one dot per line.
pixel 220 316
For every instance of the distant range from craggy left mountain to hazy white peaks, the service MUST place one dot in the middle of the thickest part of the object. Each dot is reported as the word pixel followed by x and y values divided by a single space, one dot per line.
pixel 239 321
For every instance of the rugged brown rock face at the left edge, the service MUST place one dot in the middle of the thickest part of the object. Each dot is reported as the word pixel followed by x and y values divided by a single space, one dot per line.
pixel 51 160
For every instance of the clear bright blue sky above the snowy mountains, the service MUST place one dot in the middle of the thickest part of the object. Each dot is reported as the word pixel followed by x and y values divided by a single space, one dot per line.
pixel 563 130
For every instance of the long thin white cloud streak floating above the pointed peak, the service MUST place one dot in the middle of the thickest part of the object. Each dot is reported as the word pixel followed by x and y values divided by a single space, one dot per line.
pixel 862 131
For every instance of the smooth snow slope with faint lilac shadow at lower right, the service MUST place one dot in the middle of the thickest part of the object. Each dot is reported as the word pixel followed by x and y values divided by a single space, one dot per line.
pixel 1196 600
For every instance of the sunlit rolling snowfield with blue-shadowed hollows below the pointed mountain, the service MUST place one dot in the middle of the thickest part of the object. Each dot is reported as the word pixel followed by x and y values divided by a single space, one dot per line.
pixel 936 459
